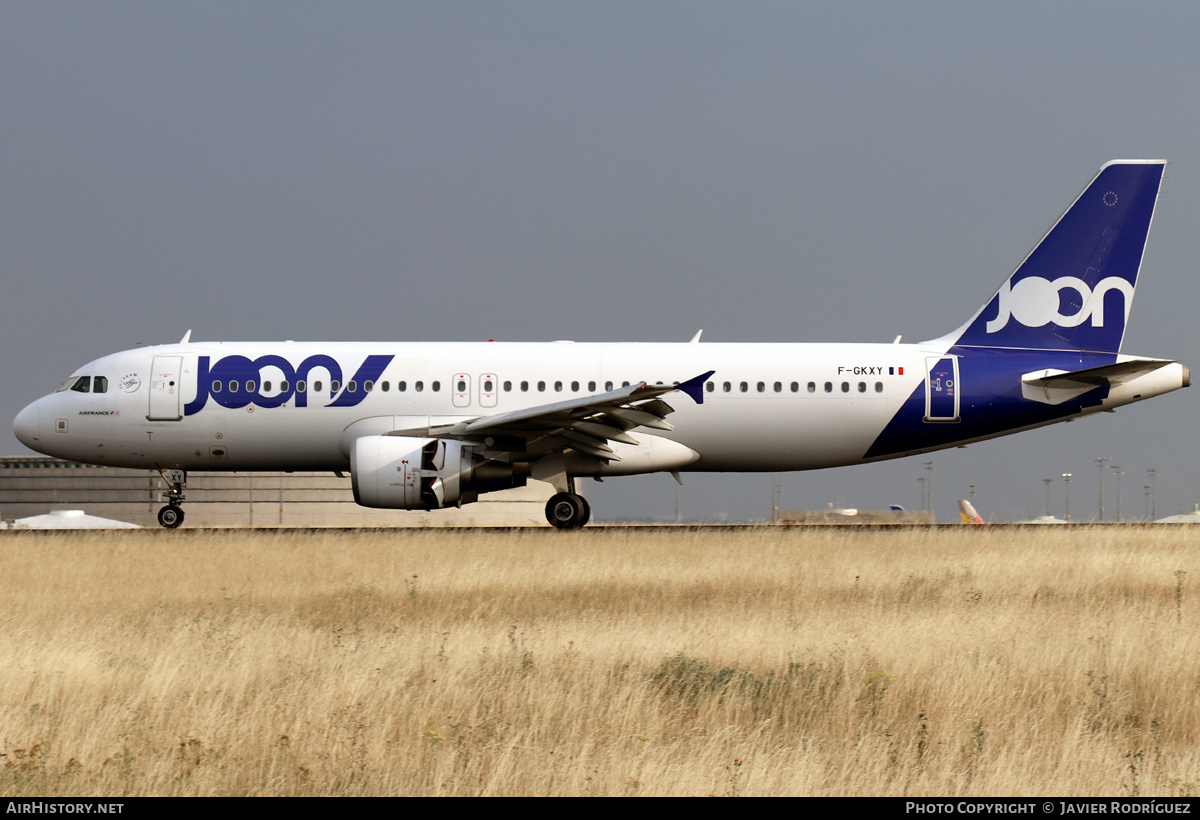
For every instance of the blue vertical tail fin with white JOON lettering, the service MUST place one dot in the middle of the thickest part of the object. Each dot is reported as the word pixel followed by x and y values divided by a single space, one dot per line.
pixel 1076 288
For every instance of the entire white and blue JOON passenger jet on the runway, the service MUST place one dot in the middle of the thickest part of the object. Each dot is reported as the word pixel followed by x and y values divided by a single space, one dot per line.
pixel 436 426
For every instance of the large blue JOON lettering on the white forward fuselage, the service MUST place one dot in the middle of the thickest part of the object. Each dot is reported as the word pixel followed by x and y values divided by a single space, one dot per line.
pixel 237 382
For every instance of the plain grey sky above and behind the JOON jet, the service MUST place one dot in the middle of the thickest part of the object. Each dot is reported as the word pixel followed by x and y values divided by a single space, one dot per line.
pixel 602 172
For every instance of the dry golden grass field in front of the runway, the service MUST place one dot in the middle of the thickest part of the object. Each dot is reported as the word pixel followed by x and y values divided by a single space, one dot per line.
pixel 609 662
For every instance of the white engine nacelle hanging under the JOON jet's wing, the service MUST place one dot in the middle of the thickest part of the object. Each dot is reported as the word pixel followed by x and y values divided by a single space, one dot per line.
pixel 397 472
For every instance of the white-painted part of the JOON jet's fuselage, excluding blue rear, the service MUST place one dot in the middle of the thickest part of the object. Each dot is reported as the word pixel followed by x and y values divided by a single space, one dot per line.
pixel 769 408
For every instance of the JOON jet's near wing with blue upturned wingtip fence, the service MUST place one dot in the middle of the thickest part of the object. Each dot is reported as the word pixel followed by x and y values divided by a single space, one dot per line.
pixel 586 426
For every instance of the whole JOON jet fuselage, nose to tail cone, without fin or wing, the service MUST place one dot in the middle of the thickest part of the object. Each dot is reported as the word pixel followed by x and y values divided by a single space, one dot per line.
pixel 239 406
